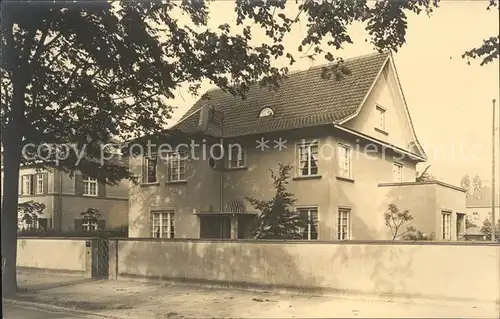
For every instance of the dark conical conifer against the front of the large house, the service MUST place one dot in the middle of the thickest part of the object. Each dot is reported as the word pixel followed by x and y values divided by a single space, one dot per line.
pixel 277 219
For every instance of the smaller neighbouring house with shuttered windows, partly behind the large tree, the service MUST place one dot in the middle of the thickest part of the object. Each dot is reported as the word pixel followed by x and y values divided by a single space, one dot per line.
pixel 65 198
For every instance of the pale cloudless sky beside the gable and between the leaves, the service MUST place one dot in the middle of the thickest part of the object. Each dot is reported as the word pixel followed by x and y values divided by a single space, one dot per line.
pixel 450 101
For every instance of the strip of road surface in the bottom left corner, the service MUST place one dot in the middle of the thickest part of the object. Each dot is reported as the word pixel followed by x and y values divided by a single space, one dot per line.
pixel 21 312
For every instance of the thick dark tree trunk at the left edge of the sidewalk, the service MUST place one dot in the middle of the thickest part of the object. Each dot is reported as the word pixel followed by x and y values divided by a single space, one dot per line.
pixel 12 161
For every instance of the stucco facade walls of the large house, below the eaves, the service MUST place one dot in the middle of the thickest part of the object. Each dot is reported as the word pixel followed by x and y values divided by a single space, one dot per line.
pixel 202 188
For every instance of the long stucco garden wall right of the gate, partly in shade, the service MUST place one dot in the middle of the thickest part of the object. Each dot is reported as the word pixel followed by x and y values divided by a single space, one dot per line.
pixel 403 270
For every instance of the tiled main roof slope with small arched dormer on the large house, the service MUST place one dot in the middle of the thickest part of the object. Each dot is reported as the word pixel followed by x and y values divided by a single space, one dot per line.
pixel 304 99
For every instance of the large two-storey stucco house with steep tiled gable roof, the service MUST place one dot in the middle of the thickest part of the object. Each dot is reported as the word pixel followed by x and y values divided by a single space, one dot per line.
pixel 351 142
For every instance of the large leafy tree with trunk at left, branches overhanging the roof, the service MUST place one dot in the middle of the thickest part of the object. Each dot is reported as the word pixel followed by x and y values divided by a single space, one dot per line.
pixel 82 73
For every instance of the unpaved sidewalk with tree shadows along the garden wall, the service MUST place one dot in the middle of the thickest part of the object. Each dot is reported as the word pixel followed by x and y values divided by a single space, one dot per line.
pixel 135 299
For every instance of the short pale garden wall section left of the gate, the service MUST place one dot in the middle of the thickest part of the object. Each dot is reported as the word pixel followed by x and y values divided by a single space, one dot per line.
pixel 52 254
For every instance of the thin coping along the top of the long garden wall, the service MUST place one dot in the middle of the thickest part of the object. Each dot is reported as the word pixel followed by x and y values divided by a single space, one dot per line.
pixel 314 242
